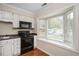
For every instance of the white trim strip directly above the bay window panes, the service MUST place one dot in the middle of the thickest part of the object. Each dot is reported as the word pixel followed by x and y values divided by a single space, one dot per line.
pixel 58 12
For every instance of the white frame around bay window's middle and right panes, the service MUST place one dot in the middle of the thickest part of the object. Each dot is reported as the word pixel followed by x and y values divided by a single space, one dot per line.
pixel 64 14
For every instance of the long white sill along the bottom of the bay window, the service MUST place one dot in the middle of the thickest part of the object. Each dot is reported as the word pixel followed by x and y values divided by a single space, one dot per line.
pixel 59 44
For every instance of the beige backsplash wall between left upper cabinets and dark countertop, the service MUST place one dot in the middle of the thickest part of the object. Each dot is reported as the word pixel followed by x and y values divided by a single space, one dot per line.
pixel 7 28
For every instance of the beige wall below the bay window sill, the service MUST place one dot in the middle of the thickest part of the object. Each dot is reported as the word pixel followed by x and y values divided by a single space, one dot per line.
pixel 54 50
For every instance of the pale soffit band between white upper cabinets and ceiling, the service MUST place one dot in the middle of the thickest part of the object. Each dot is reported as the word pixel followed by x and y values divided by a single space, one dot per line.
pixel 16 10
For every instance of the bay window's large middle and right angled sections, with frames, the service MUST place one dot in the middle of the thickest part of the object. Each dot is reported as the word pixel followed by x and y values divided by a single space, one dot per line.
pixel 60 28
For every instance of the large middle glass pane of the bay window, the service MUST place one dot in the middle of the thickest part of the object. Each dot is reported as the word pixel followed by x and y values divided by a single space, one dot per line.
pixel 55 28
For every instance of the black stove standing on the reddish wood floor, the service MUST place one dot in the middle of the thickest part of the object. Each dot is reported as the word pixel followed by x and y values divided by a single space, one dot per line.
pixel 27 41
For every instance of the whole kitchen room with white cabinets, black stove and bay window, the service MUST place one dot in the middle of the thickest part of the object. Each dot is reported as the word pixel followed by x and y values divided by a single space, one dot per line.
pixel 40 29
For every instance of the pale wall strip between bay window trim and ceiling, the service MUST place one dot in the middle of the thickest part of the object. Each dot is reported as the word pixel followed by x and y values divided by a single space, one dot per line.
pixel 52 9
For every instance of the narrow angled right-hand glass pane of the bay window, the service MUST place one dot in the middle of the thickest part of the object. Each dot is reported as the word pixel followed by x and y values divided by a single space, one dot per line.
pixel 69 29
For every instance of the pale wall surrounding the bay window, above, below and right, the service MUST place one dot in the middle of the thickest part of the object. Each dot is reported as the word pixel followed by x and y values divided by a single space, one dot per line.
pixel 51 48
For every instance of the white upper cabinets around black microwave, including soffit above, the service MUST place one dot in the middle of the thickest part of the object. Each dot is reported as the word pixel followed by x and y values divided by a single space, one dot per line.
pixel 14 15
